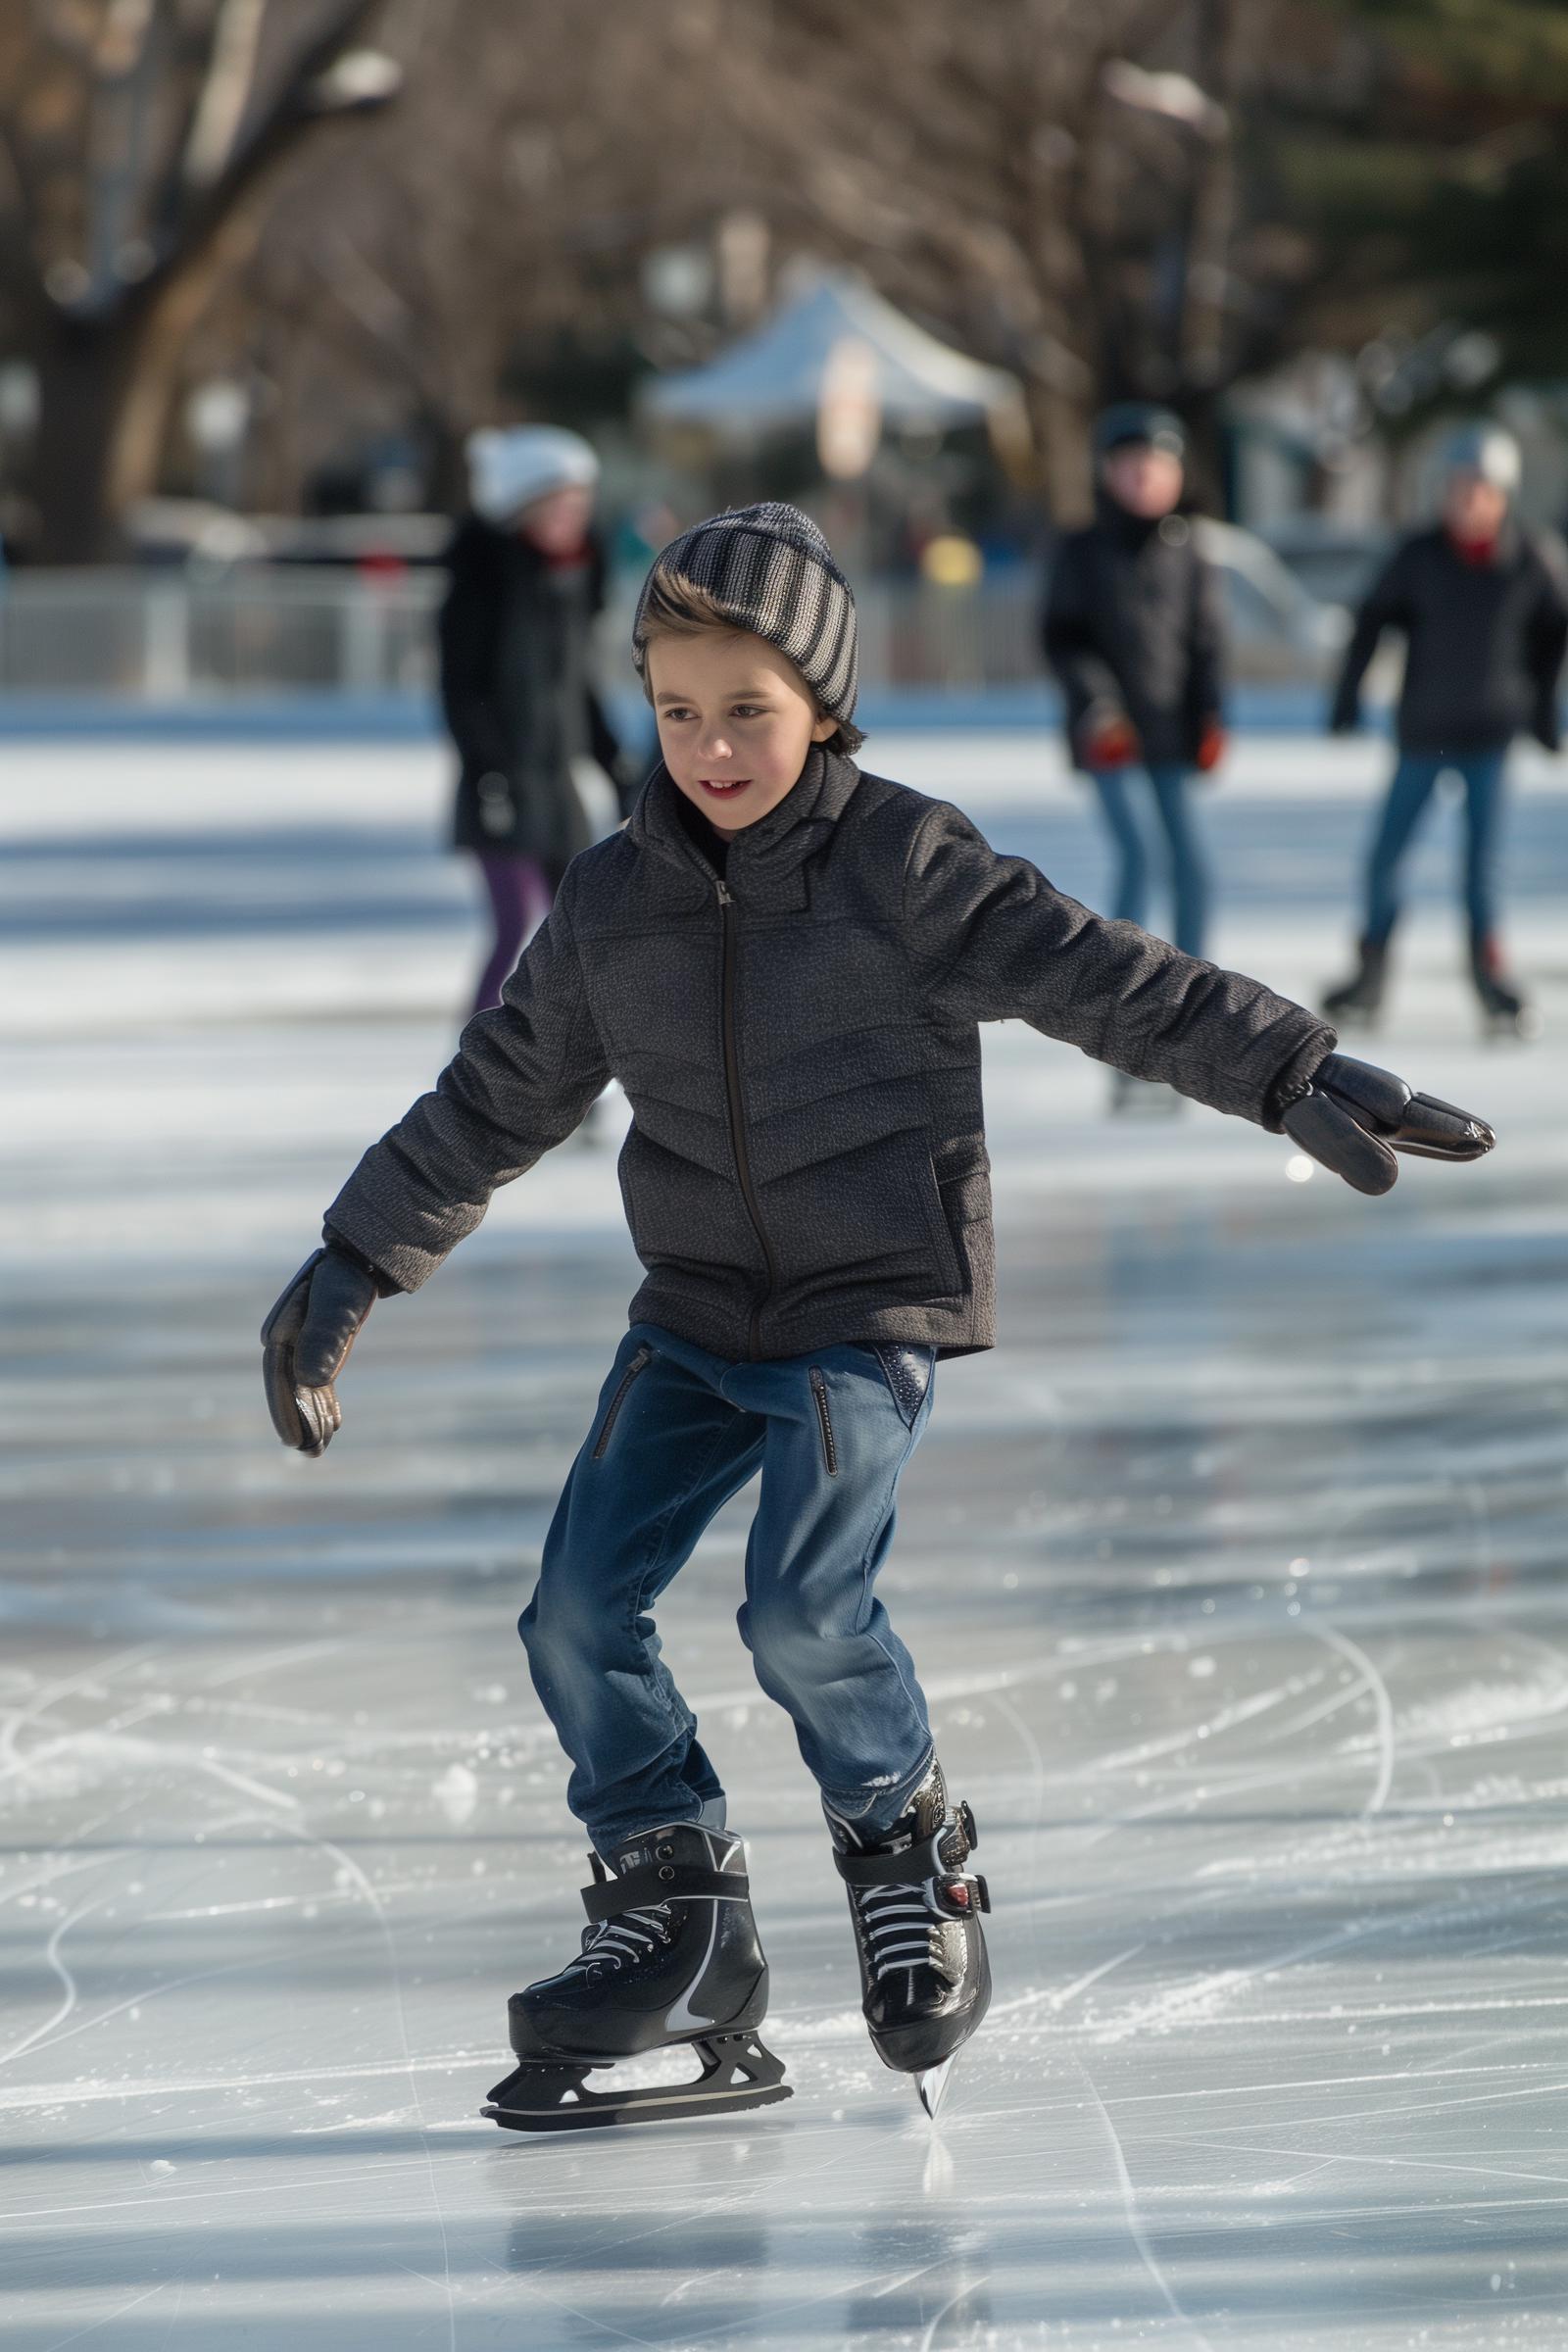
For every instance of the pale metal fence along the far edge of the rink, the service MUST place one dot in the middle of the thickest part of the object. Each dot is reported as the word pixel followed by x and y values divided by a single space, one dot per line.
pixel 175 636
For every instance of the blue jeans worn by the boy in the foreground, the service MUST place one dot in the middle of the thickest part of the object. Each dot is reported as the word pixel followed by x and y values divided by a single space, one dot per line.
pixel 676 1436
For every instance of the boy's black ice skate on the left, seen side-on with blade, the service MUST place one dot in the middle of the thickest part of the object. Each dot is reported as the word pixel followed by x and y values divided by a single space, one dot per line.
pixel 669 1956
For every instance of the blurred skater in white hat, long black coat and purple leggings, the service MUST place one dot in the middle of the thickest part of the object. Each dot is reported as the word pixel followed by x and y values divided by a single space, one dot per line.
pixel 528 582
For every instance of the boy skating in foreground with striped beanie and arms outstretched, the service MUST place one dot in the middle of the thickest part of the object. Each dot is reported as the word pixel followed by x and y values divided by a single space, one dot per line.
pixel 784 961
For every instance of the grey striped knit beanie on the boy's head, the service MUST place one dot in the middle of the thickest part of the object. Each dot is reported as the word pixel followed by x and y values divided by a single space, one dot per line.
pixel 772 573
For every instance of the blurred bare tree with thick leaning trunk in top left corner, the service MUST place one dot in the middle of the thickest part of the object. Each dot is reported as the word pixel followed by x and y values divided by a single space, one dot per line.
pixel 140 142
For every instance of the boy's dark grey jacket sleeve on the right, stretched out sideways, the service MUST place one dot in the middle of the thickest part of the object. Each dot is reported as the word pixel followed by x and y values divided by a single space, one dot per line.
pixel 996 942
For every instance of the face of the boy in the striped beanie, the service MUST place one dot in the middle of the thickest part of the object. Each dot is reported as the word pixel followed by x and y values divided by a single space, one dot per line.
pixel 735 723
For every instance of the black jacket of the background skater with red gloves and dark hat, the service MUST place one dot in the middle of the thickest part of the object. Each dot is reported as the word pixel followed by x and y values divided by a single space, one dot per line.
pixel 1134 629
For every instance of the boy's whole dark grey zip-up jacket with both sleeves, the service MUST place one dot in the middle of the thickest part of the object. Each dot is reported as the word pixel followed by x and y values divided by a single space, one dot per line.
pixel 800 1050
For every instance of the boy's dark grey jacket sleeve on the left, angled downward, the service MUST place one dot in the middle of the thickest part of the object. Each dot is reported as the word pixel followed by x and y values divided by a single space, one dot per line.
pixel 523 1081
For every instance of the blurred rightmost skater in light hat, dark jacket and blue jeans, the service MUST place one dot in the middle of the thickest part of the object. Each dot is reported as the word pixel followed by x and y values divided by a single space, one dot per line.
pixel 1485 613
